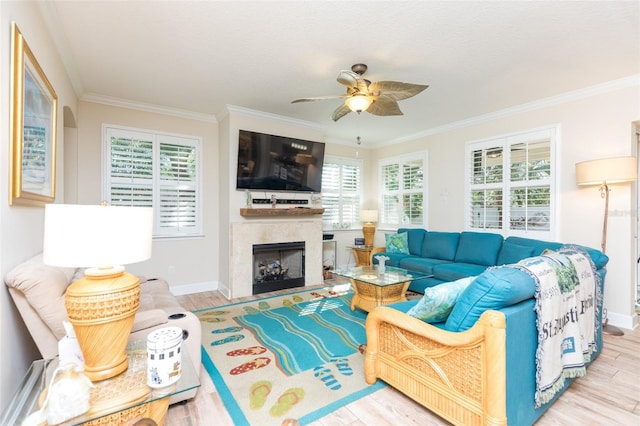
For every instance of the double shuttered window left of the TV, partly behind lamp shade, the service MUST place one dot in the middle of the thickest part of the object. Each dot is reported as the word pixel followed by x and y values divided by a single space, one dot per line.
pixel 156 170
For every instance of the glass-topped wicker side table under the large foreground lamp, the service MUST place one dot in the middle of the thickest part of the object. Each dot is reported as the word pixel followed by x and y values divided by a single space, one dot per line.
pixel 117 400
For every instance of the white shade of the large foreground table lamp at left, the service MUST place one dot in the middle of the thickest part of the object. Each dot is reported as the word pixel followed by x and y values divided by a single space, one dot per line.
pixel 96 236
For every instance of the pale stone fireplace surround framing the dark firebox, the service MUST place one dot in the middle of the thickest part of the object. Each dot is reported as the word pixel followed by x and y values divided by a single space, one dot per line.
pixel 244 235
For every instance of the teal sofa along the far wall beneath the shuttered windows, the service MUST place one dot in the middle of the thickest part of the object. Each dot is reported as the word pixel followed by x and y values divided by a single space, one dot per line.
pixel 449 256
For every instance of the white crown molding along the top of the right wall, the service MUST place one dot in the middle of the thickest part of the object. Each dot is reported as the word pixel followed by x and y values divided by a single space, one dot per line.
pixel 587 92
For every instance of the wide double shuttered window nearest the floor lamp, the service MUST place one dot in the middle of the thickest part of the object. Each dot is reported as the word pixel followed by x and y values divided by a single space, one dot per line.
pixel 510 184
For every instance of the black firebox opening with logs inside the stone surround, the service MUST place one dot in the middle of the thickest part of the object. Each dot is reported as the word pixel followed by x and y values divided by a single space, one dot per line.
pixel 278 266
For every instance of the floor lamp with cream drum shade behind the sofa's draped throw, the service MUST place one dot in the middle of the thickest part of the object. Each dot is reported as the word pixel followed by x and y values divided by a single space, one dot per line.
pixel 604 172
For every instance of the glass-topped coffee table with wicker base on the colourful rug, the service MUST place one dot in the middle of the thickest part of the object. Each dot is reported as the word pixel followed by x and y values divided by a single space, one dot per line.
pixel 373 288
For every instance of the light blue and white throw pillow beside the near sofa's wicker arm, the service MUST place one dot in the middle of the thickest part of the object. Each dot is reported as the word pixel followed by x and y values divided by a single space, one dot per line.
pixel 438 301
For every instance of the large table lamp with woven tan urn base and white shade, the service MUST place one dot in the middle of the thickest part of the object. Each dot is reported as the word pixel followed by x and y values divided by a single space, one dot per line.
pixel 102 305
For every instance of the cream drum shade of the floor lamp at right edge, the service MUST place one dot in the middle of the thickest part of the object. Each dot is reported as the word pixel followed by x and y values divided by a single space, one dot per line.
pixel 606 170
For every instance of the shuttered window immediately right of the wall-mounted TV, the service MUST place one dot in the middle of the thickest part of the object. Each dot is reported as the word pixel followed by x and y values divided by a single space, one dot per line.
pixel 341 192
